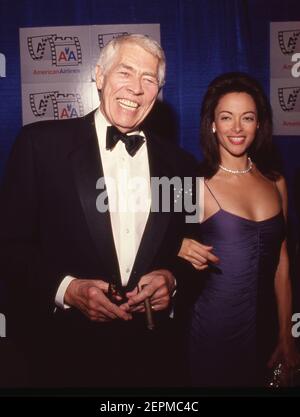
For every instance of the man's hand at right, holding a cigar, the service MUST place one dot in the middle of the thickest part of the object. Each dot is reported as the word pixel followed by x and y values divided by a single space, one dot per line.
pixel 157 285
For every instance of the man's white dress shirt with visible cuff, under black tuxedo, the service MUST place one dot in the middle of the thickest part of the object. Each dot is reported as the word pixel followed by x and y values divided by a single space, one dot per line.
pixel 127 181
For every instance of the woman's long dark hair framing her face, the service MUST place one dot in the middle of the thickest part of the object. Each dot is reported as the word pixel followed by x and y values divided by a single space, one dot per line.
pixel 261 150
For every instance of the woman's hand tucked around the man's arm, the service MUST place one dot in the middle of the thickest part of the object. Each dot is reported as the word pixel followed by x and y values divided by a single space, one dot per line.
pixel 197 254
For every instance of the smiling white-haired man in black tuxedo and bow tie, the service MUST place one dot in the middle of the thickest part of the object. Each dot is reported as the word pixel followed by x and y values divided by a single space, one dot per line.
pixel 83 266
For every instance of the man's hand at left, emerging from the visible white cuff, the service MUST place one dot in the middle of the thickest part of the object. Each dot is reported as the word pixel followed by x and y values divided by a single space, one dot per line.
pixel 89 296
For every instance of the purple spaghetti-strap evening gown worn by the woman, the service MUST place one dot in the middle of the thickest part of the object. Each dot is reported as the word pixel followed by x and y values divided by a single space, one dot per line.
pixel 233 324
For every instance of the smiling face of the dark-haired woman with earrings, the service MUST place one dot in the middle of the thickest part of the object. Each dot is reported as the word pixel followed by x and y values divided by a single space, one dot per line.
pixel 235 123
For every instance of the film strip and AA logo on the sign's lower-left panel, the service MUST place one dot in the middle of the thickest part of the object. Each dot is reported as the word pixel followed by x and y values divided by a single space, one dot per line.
pixel 56 105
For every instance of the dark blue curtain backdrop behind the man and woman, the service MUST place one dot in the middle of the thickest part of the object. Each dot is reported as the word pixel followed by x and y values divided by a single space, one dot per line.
pixel 202 38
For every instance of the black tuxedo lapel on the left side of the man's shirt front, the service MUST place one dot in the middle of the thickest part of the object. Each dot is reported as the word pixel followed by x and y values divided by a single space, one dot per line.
pixel 87 169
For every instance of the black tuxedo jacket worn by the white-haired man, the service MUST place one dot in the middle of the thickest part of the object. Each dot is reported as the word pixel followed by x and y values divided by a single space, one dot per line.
pixel 50 226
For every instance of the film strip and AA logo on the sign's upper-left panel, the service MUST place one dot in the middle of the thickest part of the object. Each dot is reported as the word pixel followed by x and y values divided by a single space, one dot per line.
pixel 63 50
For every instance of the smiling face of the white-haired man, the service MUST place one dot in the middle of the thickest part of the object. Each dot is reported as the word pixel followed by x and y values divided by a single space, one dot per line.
pixel 129 88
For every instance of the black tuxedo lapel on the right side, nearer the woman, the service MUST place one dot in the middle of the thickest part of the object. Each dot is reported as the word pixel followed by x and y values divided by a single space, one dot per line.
pixel 157 221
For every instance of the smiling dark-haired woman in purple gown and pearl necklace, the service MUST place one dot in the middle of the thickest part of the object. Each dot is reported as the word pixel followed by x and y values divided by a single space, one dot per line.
pixel 241 320
